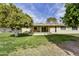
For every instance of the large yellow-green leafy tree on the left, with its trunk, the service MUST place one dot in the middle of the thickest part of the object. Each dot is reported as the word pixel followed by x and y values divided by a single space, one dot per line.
pixel 12 17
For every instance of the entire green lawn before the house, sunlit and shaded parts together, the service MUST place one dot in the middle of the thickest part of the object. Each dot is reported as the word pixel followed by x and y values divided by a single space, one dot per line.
pixel 9 44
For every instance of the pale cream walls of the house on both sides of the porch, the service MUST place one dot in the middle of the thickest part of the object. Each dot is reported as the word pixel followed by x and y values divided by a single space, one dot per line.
pixel 52 30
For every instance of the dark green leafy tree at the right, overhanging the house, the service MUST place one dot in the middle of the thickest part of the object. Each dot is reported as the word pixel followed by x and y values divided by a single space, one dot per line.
pixel 71 17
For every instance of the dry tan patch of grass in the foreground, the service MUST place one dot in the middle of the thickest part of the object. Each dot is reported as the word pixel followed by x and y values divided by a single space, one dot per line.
pixel 43 50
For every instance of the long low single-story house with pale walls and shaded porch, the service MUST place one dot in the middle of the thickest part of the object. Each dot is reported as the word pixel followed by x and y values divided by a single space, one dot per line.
pixel 52 29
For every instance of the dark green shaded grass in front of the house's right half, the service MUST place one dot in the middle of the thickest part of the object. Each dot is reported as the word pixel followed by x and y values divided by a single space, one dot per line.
pixel 61 38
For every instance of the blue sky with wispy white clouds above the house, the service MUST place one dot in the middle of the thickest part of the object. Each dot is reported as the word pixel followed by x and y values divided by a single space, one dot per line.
pixel 41 11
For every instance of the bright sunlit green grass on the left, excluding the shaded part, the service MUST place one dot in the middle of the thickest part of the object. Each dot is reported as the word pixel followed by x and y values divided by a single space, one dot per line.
pixel 9 44
